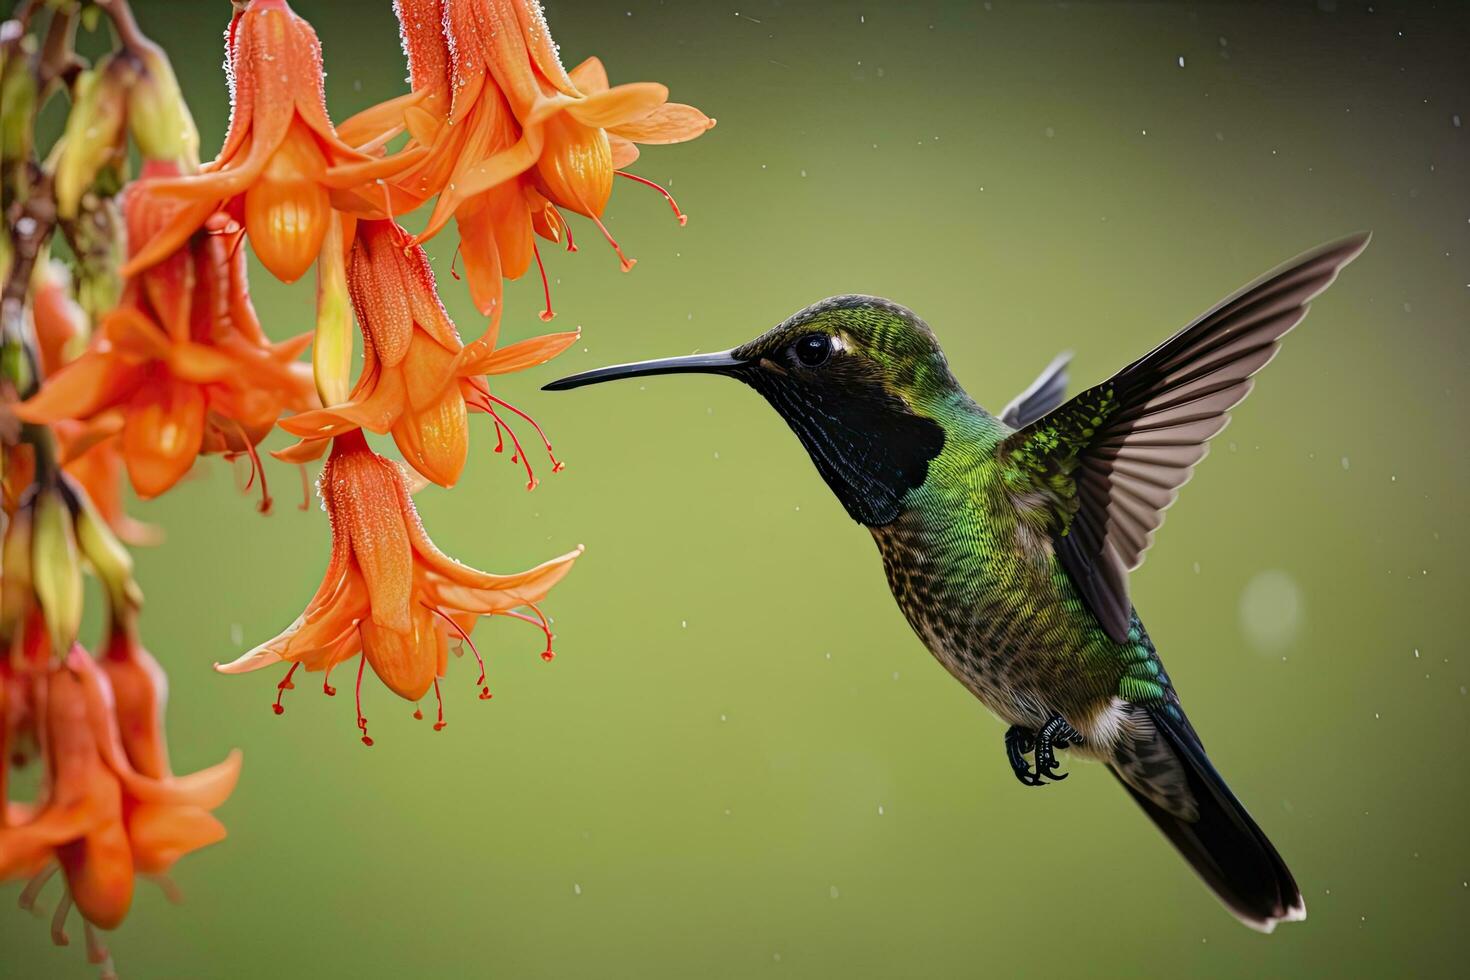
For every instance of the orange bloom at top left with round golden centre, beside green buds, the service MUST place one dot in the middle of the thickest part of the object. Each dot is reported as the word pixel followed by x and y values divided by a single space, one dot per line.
pixel 282 155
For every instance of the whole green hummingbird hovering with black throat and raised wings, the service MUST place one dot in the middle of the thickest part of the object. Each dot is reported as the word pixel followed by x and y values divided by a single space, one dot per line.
pixel 1008 538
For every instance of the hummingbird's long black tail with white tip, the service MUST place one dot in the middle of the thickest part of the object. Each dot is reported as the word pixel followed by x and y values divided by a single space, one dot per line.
pixel 1224 846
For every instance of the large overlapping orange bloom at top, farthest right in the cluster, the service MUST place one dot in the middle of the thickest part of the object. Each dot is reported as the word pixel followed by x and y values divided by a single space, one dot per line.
pixel 509 136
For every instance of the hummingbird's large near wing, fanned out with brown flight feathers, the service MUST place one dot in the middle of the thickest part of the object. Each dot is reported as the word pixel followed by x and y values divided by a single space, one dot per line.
pixel 1103 468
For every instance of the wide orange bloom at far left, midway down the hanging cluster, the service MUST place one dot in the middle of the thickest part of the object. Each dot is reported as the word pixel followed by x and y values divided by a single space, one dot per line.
pixel 180 368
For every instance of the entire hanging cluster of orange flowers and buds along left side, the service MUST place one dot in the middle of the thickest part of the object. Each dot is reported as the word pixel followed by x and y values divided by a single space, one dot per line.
pixel 143 353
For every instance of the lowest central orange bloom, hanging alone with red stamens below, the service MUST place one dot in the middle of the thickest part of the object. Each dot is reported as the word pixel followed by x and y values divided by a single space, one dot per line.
pixel 390 594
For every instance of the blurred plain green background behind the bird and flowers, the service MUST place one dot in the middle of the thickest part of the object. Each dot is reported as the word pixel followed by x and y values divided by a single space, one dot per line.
pixel 742 762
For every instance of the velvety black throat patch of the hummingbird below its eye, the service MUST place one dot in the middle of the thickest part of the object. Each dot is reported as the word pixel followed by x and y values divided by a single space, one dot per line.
pixel 868 443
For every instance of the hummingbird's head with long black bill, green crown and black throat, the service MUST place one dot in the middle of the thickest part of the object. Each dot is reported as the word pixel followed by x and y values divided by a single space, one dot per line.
pixel 862 383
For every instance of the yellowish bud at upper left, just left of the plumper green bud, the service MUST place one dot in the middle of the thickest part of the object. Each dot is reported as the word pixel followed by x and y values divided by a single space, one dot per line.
pixel 93 140
